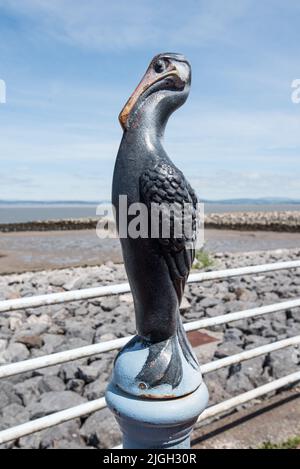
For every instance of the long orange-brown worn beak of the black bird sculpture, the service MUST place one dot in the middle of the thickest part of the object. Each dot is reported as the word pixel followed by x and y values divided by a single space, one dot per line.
pixel 149 79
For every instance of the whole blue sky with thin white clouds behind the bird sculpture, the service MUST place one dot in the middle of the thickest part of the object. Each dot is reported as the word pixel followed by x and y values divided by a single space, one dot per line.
pixel 69 67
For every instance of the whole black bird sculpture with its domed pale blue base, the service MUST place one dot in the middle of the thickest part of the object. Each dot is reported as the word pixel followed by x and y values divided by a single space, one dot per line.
pixel 159 359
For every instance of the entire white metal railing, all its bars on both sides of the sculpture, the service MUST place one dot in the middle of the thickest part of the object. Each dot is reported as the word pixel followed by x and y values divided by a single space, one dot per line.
pixel 88 351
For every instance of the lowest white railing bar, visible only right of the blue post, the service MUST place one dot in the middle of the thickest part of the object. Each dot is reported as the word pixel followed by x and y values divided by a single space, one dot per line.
pixel 234 402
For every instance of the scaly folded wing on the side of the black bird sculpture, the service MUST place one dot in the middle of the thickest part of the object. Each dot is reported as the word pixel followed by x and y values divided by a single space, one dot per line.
pixel 164 184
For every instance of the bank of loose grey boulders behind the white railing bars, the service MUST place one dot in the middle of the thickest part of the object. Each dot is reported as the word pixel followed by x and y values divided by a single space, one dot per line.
pixel 41 331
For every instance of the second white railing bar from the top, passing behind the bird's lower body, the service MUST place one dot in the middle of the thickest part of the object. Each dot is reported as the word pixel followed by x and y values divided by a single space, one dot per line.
pixel 90 350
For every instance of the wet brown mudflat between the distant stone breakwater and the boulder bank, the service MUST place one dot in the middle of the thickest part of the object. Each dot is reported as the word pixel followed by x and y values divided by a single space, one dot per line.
pixel 21 252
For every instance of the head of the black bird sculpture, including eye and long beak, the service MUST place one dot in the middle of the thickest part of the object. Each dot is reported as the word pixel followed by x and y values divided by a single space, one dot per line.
pixel 166 81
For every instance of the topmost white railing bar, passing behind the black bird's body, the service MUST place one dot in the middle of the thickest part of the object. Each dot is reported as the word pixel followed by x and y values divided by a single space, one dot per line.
pixel 108 290
